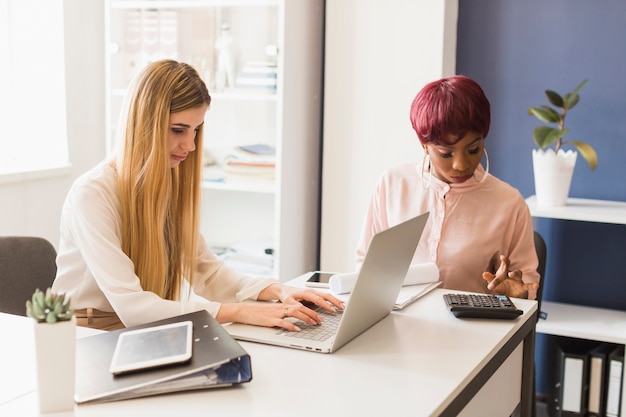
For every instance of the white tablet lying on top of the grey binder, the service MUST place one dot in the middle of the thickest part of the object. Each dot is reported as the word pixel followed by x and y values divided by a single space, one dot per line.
pixel 153 346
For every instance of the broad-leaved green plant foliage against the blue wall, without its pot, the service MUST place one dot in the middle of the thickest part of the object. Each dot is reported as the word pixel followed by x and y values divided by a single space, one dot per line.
pixel 545 136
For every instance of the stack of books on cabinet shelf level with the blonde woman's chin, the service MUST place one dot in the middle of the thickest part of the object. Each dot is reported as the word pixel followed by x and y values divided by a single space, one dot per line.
pixel 251 163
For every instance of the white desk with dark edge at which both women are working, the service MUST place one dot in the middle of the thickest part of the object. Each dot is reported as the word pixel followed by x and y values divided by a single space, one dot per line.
pixel 421 361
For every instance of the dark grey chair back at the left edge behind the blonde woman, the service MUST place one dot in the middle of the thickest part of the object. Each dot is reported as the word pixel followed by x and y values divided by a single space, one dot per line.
pixel 26 263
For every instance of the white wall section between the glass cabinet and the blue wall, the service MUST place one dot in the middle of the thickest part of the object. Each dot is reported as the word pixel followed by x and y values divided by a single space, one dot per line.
pixel 378 56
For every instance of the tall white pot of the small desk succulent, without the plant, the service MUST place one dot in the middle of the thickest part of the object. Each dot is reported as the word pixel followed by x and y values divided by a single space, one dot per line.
pixel 55 351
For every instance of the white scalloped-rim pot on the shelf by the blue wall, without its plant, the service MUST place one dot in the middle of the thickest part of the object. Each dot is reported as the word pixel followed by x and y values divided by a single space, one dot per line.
pixel 553 176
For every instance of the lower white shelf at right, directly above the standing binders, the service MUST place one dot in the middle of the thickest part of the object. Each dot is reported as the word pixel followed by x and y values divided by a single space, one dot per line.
pixel 582 322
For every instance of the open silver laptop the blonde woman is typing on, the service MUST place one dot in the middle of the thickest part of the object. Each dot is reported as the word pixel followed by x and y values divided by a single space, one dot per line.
pixel 377 287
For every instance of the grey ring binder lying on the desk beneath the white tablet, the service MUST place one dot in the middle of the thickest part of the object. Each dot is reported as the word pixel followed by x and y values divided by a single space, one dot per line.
pixel 217 361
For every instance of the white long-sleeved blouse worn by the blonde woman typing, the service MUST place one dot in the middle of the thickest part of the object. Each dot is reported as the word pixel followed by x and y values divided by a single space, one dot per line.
pixel 103 276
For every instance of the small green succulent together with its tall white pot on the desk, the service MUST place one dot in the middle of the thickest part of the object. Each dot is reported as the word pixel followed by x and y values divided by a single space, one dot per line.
pixel 55 349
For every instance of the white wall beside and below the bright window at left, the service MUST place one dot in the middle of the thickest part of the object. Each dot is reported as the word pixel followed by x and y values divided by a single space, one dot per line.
pixel 33 207
